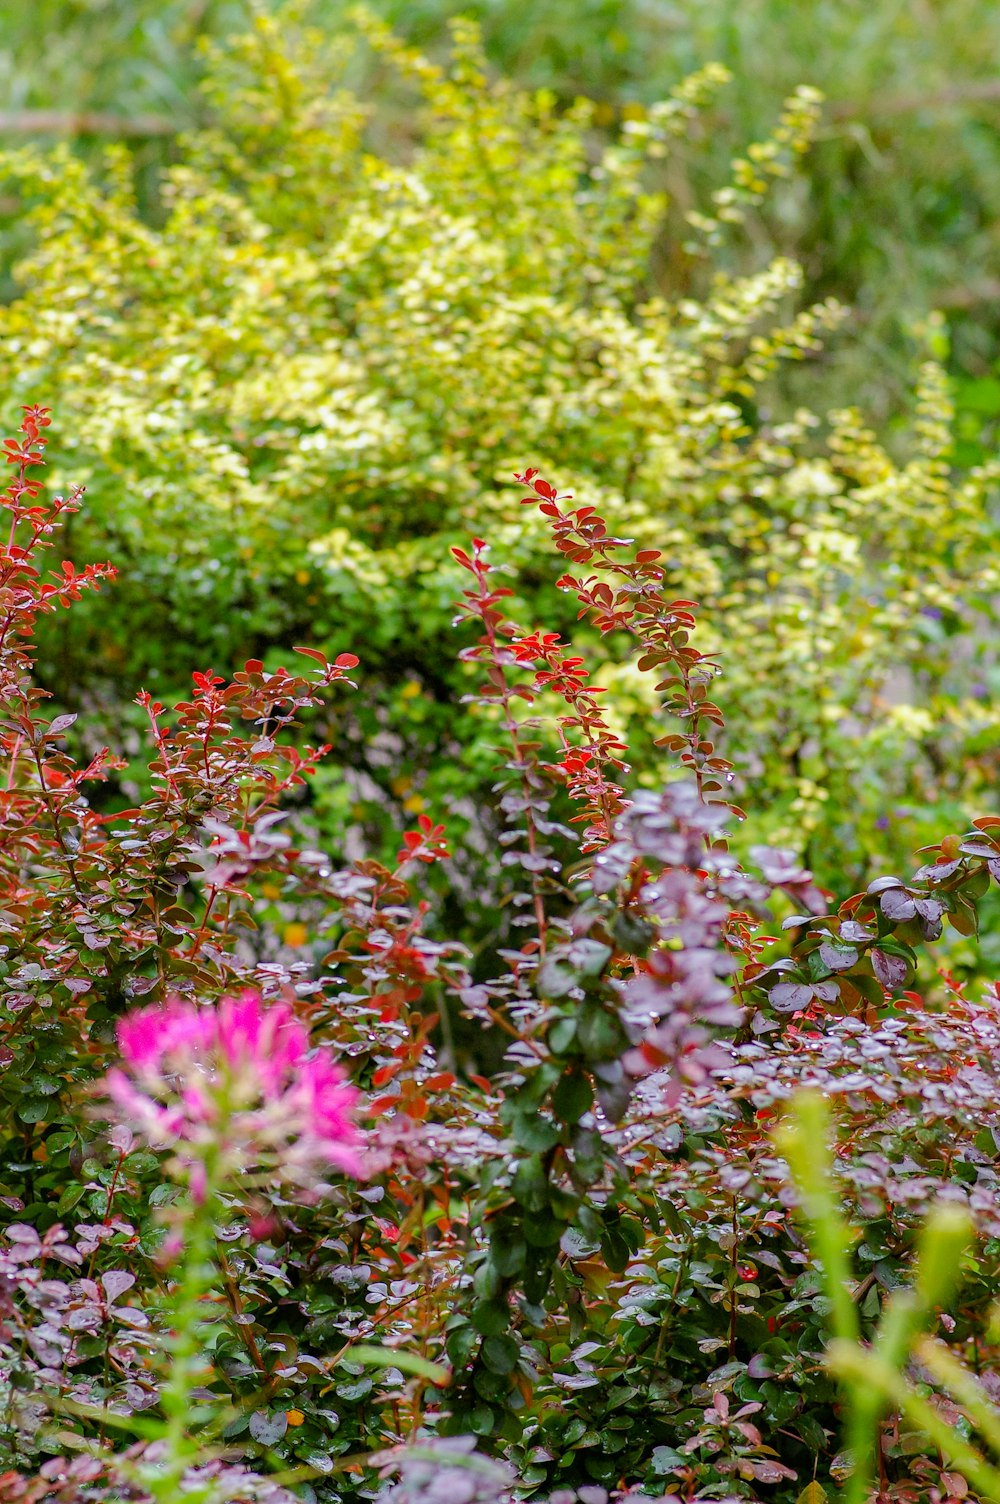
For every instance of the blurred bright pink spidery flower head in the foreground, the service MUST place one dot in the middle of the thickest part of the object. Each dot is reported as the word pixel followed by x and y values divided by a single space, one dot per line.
pixel 238 1081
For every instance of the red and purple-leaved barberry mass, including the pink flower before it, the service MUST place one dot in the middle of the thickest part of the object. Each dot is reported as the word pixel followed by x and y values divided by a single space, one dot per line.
pixel 580 1272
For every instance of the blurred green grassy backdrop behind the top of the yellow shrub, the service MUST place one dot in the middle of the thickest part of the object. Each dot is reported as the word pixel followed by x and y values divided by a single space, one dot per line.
pixel 897 211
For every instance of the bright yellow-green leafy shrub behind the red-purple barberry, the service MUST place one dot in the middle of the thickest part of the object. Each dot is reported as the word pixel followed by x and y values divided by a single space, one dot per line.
pixel 323 365
